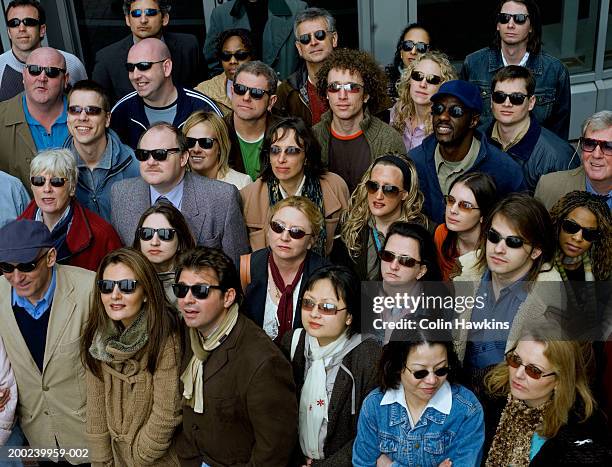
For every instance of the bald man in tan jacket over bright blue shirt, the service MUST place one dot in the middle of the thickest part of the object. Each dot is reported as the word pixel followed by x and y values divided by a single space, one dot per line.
pixel 35 119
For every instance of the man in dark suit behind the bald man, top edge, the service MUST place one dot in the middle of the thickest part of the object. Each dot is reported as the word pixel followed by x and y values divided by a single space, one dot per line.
pixel 148 18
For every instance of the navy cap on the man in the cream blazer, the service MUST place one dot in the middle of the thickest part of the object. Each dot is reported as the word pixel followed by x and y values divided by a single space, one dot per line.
pixel 21 241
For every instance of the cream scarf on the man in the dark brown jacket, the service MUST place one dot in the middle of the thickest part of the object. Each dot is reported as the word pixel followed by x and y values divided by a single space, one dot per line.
pixel 193 376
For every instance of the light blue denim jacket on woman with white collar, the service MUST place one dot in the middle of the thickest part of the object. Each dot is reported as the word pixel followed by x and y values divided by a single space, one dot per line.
pixel 385 429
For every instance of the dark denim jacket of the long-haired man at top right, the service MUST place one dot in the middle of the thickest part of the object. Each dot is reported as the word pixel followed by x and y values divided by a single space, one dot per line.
pixel 553 98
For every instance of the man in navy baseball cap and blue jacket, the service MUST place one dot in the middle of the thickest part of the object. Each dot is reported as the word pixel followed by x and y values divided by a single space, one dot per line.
pixel 457 147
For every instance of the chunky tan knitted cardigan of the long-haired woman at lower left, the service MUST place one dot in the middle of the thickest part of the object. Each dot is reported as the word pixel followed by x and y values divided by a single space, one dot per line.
pixel 131 414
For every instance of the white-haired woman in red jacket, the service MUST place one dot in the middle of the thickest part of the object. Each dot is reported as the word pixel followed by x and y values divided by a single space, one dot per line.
pixel 81 237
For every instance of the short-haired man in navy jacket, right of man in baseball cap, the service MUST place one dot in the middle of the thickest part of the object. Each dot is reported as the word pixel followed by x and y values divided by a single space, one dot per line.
pixel 517 132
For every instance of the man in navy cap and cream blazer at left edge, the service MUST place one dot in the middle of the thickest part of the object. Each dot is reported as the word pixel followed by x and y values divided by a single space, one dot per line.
pixel 43 310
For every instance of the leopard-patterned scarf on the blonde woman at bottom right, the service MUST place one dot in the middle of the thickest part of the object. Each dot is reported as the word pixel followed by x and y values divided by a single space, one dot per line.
pixel 512 442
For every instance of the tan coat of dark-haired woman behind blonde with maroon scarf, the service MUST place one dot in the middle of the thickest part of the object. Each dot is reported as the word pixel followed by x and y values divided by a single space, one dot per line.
pixel 257 208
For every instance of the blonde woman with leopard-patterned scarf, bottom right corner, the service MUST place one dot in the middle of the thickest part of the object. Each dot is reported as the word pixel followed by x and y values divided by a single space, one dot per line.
pixel 550 417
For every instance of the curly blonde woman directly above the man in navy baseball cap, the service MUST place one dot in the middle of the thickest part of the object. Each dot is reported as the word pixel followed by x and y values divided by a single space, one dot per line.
pixel 421 79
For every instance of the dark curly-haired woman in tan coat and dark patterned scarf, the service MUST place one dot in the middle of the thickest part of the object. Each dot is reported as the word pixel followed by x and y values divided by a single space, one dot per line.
pixel 291 166
